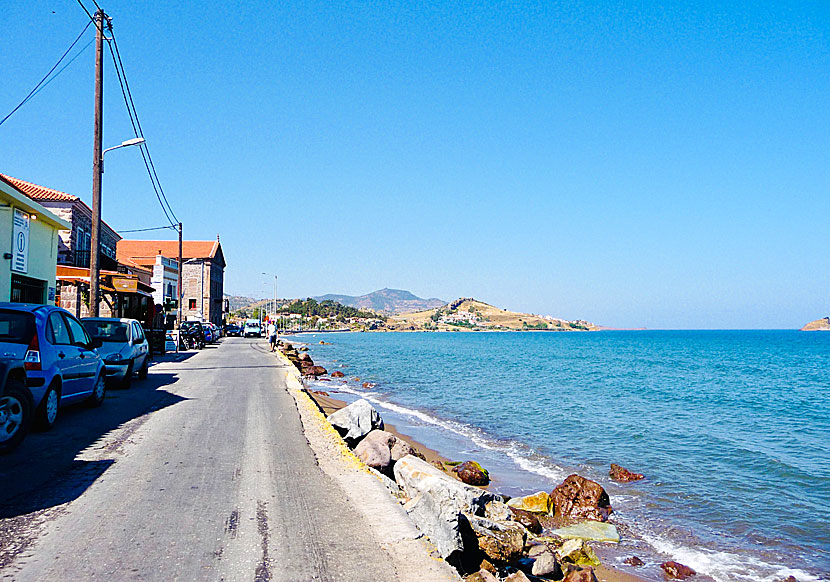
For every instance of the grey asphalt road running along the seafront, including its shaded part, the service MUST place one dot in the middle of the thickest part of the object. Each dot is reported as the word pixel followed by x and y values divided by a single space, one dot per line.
pixel 201 472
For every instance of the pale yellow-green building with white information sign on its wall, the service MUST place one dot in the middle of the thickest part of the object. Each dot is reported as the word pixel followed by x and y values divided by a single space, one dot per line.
pixel 29 236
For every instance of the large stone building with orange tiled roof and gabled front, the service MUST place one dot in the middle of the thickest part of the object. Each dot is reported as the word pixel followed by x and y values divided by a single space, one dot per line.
pixel 203 272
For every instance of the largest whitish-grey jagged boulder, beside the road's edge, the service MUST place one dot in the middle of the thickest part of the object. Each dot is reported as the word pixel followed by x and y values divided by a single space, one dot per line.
pixel 437 501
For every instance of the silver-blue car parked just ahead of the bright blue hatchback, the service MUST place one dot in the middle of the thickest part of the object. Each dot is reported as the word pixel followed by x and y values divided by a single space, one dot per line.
pixel 125 348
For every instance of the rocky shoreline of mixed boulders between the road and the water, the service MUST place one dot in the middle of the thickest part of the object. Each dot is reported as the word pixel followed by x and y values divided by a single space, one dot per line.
pixel 483 535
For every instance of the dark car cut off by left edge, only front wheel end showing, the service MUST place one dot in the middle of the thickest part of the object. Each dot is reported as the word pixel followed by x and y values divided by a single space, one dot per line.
pixel 16 403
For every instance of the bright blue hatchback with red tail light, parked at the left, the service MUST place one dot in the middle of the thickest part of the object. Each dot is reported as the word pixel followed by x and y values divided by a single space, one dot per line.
pixel 61 361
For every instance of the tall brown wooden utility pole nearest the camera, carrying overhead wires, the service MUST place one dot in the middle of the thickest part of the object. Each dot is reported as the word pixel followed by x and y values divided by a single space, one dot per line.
pixel 94 267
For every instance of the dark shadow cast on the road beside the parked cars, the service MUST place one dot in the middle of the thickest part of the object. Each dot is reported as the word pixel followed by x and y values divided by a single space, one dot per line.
pixel 44 471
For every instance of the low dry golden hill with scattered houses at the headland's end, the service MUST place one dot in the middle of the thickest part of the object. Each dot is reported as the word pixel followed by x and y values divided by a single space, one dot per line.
pixel 469 314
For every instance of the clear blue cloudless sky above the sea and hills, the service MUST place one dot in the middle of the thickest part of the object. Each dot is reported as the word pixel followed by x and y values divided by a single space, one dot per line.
pixel 630 163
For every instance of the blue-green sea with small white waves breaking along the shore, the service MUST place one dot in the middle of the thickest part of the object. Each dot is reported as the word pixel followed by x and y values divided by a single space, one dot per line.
pixel 730 428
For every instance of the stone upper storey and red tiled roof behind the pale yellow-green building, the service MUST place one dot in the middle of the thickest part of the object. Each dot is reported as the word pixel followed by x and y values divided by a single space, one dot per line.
pixel 75 242
